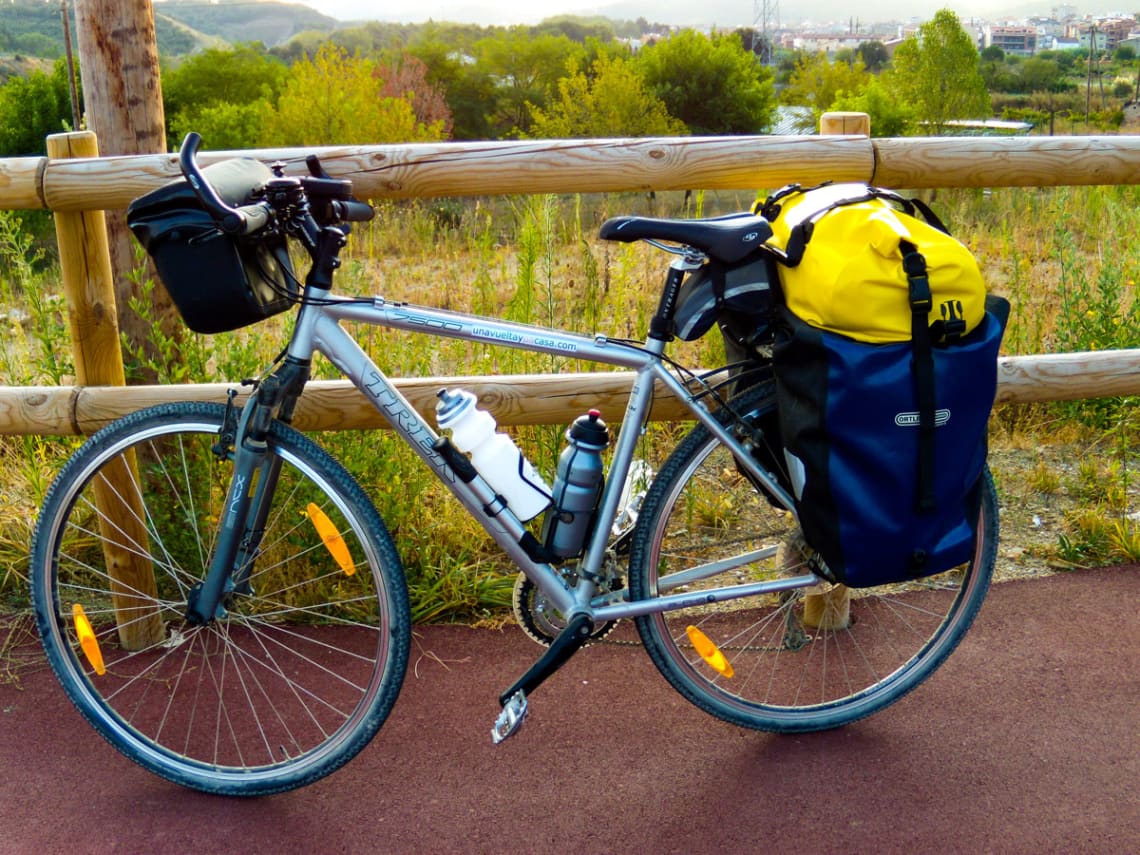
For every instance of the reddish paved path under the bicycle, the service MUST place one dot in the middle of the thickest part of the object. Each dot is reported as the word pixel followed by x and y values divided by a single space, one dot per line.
pixel 1027 742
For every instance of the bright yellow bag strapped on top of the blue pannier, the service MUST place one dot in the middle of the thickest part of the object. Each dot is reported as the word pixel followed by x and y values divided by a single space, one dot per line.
pixel 842 249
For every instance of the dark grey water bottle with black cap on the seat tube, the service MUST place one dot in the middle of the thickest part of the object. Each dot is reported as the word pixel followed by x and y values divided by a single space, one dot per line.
pixel 577 487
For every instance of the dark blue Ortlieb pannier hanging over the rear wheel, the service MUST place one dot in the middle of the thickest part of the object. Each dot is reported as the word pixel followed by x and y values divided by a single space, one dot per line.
pixel 877 501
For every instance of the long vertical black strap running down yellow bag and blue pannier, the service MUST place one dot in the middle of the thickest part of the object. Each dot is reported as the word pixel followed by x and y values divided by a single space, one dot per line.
pixel 922 304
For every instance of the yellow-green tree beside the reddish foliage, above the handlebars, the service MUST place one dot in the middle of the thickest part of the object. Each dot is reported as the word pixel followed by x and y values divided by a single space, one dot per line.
pixel 337 99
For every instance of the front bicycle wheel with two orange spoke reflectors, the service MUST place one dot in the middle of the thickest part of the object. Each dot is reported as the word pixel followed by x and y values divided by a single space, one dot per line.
pixel 298 675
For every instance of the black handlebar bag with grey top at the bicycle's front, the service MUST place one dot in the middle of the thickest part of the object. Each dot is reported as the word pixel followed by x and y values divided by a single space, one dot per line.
pixel 217 281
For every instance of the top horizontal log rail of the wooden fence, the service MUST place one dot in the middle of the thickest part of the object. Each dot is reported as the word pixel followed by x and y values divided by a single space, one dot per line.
pixel 588 166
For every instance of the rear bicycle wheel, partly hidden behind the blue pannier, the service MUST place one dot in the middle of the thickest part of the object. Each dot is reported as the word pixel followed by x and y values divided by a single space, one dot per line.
pixel 796 664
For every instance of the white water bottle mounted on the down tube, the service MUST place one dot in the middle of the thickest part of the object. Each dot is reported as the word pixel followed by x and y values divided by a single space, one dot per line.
pixel 494 455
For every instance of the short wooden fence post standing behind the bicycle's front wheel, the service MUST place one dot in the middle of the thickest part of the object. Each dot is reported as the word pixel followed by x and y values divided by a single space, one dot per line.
pixel 85 263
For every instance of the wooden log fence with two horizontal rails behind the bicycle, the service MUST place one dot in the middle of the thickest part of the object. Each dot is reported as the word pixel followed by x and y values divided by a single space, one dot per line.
pixel 78 185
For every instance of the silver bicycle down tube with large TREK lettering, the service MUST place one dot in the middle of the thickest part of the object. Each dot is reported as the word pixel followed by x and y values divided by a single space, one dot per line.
pixel 339 347
